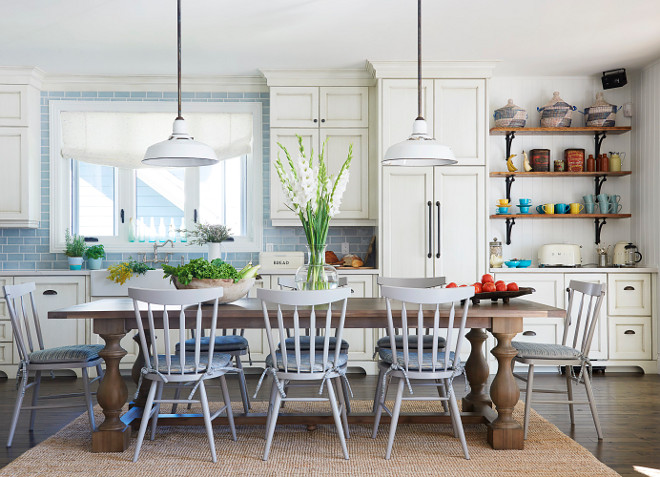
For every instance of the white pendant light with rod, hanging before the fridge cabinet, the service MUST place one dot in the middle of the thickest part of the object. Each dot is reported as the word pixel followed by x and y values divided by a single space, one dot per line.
pixel 419 149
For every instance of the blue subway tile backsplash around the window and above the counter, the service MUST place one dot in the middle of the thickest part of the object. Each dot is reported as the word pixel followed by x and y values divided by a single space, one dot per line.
pixel 28 249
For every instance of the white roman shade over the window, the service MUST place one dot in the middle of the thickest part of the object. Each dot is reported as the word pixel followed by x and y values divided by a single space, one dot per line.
pixel 119 139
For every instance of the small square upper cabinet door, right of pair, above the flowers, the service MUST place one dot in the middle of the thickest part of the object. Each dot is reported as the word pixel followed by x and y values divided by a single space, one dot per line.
pixel 344 107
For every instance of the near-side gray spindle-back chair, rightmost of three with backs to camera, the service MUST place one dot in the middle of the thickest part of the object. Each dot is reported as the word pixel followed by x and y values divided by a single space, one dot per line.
pixel 417 364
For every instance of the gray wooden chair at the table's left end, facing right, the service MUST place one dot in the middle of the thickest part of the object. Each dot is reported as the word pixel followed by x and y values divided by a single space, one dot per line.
pixel 36 358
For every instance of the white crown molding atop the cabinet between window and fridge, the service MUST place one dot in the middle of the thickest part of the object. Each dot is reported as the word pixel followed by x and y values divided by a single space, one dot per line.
pixel 320 77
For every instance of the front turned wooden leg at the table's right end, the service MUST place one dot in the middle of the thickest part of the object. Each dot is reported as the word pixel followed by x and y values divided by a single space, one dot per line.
pixel 504 432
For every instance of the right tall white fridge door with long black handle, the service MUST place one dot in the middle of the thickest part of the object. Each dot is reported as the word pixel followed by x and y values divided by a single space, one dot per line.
pixel 459 216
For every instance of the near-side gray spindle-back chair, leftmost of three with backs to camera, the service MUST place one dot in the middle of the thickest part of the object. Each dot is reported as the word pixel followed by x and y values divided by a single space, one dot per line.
pixel 181 368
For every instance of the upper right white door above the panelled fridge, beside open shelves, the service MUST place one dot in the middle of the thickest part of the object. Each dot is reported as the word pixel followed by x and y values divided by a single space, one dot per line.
pixel 459 118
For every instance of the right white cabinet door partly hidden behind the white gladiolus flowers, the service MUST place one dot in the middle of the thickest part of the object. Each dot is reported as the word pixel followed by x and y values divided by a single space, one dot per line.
pixel 355 201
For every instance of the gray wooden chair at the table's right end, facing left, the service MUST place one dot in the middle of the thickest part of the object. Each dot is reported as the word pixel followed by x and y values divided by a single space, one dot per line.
pixel 582 312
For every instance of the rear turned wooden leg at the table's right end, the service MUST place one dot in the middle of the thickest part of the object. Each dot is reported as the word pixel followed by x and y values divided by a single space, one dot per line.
pixel 476 372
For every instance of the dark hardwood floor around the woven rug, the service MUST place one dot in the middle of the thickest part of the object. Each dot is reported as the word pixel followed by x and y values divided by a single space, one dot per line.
pixel 628 406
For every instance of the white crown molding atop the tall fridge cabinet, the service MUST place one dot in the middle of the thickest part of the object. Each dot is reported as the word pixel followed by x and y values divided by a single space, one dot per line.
pixel 431 69
